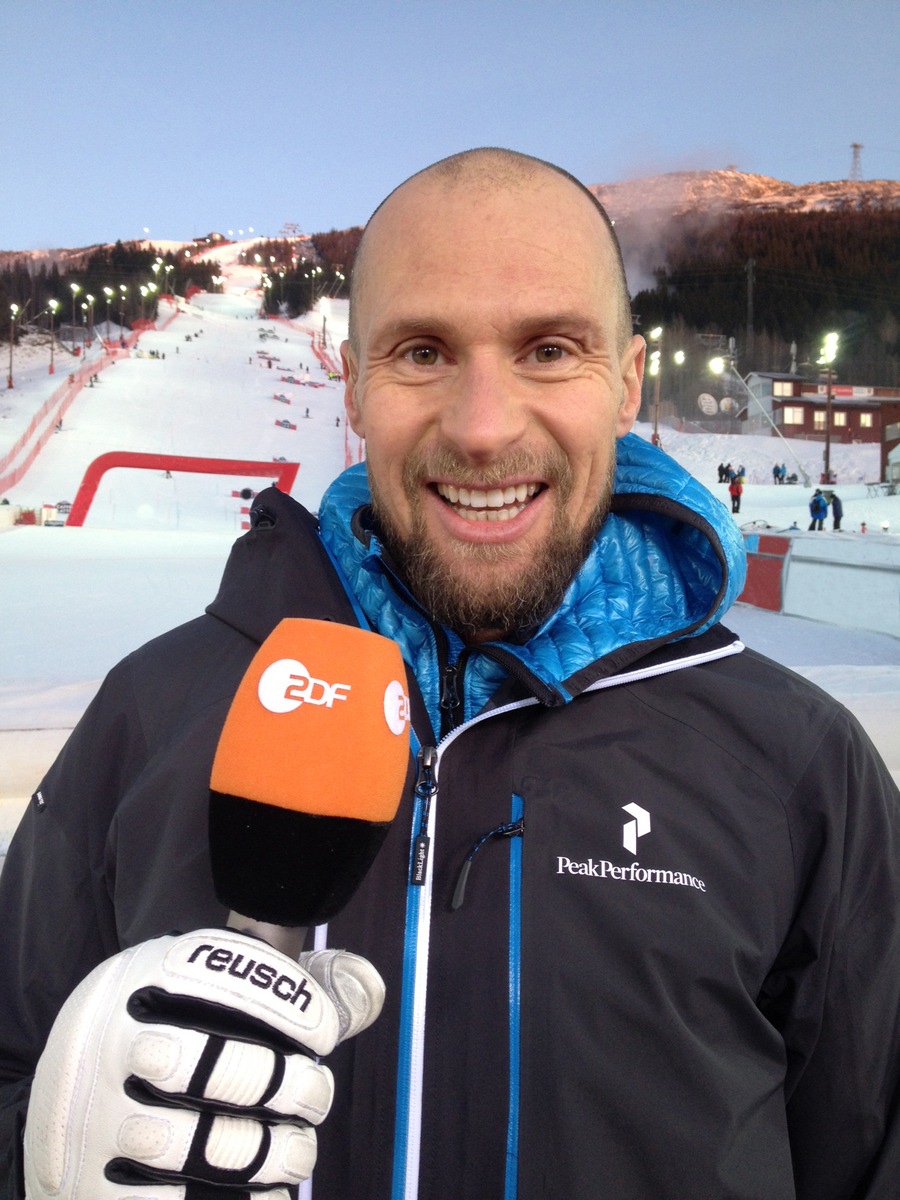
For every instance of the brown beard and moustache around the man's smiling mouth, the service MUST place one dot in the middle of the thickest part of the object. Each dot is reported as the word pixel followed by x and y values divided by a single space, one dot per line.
pixel 490 592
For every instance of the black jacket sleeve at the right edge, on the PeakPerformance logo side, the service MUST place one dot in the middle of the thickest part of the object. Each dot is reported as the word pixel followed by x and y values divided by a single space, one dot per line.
pixel 836 989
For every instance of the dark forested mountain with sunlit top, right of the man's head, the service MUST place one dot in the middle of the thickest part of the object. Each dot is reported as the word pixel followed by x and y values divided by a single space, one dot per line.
pixel 769 265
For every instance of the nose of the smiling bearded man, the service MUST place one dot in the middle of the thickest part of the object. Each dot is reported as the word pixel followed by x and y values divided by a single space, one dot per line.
pixel 484 413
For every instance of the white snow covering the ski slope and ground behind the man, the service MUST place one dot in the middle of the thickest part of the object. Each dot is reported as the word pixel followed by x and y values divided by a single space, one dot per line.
pixel 153 548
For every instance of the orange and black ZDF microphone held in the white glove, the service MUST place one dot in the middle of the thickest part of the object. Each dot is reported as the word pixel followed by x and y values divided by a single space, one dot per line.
pixel 308 777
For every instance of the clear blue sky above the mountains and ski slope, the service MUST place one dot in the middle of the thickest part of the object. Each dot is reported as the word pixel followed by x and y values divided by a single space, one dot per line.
pixel 189 116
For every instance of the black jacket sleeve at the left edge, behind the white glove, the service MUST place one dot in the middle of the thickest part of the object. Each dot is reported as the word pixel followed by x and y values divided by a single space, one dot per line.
pixel 57 920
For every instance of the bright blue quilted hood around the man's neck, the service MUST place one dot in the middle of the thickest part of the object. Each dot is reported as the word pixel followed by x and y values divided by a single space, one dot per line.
pixel 668 565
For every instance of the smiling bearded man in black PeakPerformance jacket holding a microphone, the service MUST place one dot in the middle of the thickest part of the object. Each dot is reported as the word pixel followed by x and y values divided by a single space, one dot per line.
pixel 656 949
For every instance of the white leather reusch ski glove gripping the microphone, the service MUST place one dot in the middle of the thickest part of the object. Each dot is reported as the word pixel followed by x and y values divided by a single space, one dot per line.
pixel 185 1065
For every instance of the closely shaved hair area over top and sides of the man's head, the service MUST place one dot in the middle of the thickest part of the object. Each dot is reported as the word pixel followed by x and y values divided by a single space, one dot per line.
pixel 482 172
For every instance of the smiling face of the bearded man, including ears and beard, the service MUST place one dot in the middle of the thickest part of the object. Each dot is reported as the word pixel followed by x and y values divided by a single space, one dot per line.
pixel 490 389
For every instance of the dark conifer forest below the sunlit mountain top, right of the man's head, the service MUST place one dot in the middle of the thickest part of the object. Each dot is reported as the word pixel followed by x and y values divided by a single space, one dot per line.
pixel 813 273
